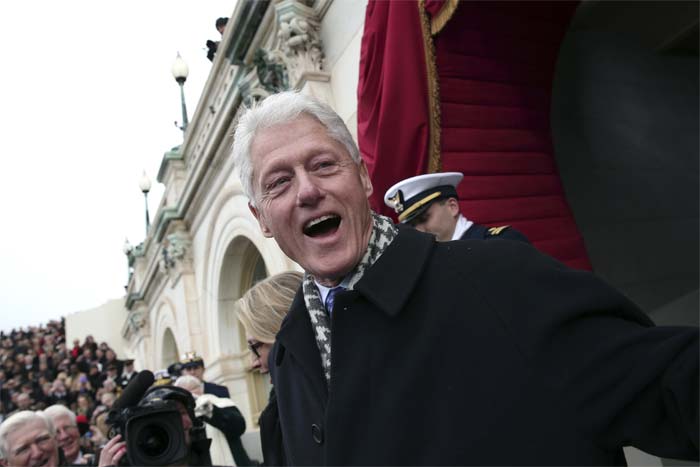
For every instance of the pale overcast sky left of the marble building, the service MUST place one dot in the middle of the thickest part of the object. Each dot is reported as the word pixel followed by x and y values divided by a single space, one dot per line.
pixel 87 102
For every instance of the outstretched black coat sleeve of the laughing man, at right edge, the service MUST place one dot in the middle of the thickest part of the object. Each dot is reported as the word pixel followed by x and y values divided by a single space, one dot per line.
pixel 626 381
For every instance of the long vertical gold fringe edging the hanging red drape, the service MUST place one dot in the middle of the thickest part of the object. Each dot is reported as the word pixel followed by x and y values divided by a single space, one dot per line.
pixel 434 162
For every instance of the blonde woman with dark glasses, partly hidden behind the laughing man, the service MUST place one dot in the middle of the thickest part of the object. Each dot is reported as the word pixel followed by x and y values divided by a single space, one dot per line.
pixel 261 311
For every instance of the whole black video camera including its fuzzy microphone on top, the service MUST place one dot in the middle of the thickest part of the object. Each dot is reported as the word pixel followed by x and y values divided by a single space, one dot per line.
pixel 149 420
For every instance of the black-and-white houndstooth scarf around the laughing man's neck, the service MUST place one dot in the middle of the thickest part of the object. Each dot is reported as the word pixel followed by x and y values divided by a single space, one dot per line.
pixel 383 233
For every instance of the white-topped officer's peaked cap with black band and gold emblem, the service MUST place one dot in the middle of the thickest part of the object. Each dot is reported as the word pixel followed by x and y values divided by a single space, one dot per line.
pixel 412 196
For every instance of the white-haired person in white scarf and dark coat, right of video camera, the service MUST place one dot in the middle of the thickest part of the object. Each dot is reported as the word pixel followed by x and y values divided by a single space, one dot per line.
pixel 223 421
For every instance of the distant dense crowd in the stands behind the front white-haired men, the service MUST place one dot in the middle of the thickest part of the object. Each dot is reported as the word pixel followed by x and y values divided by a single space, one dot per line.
pixel 40 371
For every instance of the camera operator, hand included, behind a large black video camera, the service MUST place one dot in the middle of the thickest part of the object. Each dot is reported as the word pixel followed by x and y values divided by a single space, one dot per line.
pixel 155 428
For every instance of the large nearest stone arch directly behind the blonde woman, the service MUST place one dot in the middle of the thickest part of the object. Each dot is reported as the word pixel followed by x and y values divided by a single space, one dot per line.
pixel 237 250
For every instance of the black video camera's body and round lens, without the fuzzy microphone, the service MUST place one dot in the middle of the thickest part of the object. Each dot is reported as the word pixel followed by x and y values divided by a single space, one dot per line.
pixel 153 433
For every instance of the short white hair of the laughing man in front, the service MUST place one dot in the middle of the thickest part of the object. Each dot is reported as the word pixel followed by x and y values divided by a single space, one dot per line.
pixel 277 109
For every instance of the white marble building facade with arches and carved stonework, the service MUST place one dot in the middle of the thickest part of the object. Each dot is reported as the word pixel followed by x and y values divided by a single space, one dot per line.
pixel 205 248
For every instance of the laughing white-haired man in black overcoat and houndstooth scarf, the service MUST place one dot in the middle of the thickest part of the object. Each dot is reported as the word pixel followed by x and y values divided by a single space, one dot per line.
pixel 401 350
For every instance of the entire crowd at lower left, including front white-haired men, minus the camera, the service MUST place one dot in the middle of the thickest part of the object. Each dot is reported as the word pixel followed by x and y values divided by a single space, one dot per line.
pixel 61 404
